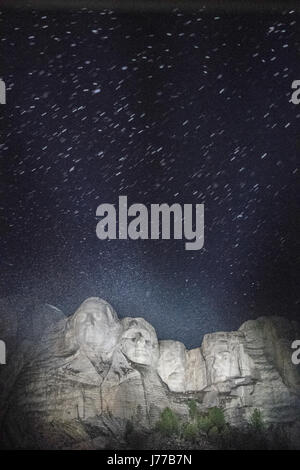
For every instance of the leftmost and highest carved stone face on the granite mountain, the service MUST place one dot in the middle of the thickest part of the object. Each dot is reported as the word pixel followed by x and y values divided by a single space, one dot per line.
pixel 95 326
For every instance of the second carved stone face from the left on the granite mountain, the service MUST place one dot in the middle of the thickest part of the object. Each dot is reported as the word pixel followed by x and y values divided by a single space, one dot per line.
pixel 139 341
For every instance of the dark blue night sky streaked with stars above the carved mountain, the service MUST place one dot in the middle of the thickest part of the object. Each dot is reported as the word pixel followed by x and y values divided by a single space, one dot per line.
pixel 188 107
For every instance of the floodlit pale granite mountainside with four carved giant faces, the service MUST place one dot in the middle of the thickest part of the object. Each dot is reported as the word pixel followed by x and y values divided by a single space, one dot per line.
pixel 91 374
